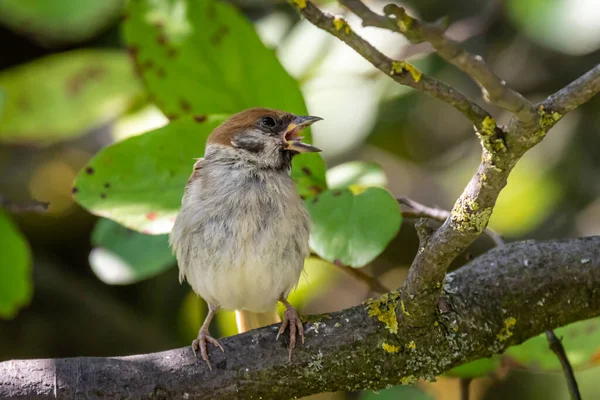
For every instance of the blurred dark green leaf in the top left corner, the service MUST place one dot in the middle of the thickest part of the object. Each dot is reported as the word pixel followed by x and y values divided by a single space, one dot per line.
pixel 52 22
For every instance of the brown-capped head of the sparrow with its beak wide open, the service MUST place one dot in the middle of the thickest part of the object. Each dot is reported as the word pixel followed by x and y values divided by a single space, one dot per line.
pixel 261 136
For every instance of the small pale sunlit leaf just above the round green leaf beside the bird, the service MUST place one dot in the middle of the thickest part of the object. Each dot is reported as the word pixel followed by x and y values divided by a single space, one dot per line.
pixel 358 173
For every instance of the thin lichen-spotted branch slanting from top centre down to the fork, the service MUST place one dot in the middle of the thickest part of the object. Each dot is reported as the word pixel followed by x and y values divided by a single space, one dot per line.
pixel 401 72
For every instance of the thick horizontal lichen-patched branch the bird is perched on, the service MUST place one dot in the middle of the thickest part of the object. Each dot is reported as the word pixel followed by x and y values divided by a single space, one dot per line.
pixel 493 302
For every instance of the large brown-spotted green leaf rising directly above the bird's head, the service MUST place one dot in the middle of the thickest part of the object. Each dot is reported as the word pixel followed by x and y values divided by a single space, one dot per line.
pixel 204 57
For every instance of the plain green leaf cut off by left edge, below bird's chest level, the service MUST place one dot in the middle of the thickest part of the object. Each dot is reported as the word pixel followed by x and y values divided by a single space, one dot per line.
pixel 16 286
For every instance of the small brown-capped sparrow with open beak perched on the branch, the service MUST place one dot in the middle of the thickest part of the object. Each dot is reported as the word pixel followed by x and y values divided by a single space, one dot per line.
pixel 241 235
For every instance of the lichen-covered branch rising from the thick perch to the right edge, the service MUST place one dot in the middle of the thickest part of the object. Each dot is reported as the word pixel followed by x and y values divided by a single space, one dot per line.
pixel 471 212
